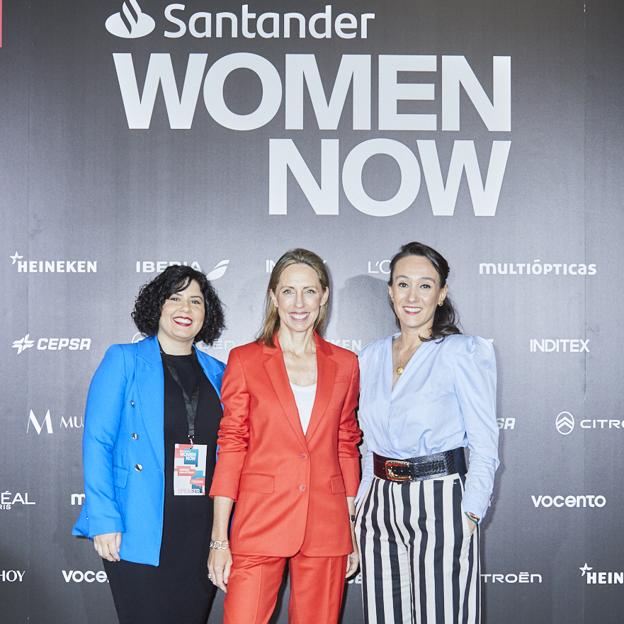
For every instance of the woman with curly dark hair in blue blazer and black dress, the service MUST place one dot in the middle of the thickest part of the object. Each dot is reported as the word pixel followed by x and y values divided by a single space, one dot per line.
pixel 152 416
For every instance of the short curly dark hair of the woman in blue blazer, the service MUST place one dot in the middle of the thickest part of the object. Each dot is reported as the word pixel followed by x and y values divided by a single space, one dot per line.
pixel 149 302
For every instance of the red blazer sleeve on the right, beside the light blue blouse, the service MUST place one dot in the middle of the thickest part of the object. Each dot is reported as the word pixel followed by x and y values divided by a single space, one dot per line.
pixel 349 435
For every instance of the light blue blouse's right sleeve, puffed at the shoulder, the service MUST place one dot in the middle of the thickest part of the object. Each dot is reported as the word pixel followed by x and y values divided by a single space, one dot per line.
pixel 475 385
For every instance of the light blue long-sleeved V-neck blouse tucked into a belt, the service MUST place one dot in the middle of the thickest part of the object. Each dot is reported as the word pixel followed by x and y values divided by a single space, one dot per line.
pixel 446 398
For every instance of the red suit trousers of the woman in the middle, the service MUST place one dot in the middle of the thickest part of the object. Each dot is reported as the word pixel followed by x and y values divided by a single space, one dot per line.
pixel 316 589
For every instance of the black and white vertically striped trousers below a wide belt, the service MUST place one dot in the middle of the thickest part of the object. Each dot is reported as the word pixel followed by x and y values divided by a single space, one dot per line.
pixel 419 563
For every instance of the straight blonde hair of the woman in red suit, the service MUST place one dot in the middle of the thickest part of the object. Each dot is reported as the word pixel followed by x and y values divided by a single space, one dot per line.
pixel 271 321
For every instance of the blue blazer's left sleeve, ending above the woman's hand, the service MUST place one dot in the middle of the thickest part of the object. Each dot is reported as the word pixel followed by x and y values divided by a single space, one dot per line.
pixel 101 424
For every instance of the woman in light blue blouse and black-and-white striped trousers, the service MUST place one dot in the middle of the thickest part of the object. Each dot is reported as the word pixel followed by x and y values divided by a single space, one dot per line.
pixel 427 393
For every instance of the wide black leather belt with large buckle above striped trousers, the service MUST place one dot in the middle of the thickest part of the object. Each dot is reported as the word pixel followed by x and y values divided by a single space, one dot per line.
pixel 420 468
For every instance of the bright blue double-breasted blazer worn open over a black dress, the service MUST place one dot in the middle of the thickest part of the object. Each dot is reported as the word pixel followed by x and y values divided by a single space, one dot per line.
pixel 123 448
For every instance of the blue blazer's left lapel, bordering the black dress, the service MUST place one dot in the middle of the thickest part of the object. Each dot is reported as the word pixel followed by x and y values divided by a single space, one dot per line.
pixel 150 382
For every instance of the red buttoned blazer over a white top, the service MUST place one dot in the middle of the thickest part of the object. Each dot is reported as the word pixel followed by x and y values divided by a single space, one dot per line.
pixel 290 489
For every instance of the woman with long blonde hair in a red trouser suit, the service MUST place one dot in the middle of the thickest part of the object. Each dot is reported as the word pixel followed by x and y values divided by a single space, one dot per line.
pixel 288 458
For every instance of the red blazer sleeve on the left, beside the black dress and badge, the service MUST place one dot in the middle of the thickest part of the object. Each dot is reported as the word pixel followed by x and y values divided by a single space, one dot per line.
pixel 233 438
